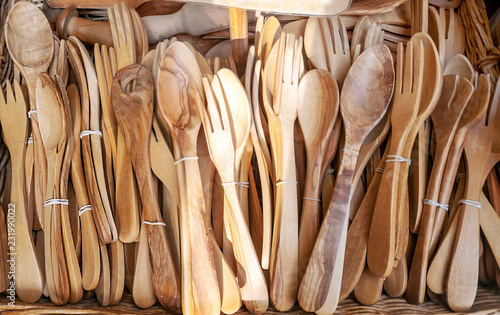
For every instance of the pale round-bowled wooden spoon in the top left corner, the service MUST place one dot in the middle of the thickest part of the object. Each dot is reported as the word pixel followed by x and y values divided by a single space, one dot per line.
pixel 32 54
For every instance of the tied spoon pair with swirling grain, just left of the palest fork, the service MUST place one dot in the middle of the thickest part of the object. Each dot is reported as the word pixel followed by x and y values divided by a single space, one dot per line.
pixel 200 289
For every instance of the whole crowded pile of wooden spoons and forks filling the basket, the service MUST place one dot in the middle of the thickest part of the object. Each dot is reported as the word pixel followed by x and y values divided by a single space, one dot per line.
pixel 316 163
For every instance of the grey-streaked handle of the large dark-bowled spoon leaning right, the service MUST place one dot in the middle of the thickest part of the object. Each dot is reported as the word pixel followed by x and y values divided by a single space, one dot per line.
pixel 327 258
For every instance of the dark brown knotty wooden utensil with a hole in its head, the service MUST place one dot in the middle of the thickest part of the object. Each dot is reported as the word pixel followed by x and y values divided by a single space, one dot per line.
pixel 134 114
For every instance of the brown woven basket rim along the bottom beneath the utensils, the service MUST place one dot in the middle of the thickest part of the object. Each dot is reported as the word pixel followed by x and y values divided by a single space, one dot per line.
pixel 487 302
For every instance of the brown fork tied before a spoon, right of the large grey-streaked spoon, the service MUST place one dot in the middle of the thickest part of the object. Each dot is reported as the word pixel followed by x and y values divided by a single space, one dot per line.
pixel 404 112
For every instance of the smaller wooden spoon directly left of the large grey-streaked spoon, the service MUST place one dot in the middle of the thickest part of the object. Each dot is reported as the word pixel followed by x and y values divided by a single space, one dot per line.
pixel 317 113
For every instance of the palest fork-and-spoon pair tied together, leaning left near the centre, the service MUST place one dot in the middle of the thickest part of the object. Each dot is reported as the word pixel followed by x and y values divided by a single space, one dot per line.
pixel 226 86
